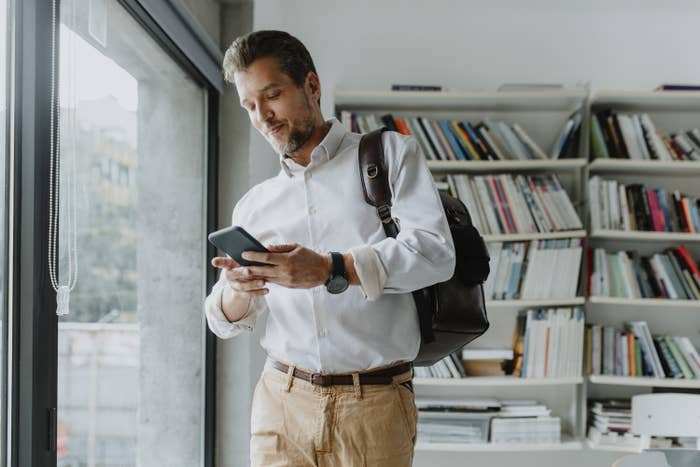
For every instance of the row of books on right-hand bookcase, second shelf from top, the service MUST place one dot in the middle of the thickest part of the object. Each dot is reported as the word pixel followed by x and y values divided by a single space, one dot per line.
pixel 615 205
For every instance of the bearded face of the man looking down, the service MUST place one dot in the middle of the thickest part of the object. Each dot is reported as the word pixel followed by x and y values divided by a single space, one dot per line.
pixel 279 109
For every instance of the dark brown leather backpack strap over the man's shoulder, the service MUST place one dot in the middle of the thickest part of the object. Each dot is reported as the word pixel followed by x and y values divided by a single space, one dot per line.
pixel 375 179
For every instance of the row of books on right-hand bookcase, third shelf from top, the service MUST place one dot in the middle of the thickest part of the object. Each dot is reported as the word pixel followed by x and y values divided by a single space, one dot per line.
pixel 672 274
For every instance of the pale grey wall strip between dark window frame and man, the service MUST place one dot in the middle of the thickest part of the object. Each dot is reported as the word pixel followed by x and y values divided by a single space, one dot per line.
pixel 239 360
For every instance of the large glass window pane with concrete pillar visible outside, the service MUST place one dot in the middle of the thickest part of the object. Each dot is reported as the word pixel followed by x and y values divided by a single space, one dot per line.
pixel 130 362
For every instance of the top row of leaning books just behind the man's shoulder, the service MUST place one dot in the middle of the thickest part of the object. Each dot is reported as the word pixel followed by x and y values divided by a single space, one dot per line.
pixel 443 139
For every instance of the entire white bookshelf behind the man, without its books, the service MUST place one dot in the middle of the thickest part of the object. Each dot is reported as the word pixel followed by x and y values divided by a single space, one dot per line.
pixel 542 114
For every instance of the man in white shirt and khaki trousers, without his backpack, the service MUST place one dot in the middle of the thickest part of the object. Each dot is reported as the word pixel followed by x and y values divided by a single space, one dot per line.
pixel 342 327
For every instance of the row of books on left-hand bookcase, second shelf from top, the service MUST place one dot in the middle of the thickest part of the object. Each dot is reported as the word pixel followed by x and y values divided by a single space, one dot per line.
pixel 507 204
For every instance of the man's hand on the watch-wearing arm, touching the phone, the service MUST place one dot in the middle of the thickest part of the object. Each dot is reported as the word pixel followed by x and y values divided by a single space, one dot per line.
pixel 292 266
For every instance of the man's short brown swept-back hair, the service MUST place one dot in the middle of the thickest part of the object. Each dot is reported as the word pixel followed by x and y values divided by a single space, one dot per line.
pixel 293 57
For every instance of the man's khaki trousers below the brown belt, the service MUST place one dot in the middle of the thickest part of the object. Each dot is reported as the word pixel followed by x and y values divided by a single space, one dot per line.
pixel 295 423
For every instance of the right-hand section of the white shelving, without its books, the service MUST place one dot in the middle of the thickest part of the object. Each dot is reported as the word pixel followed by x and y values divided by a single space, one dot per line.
pixel 670 111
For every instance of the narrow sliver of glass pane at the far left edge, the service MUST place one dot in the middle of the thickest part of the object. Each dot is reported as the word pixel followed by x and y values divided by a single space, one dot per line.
pixel 4 209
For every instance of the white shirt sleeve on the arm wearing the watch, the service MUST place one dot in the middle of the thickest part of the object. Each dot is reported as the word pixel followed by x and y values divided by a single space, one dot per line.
pixel 423 253
